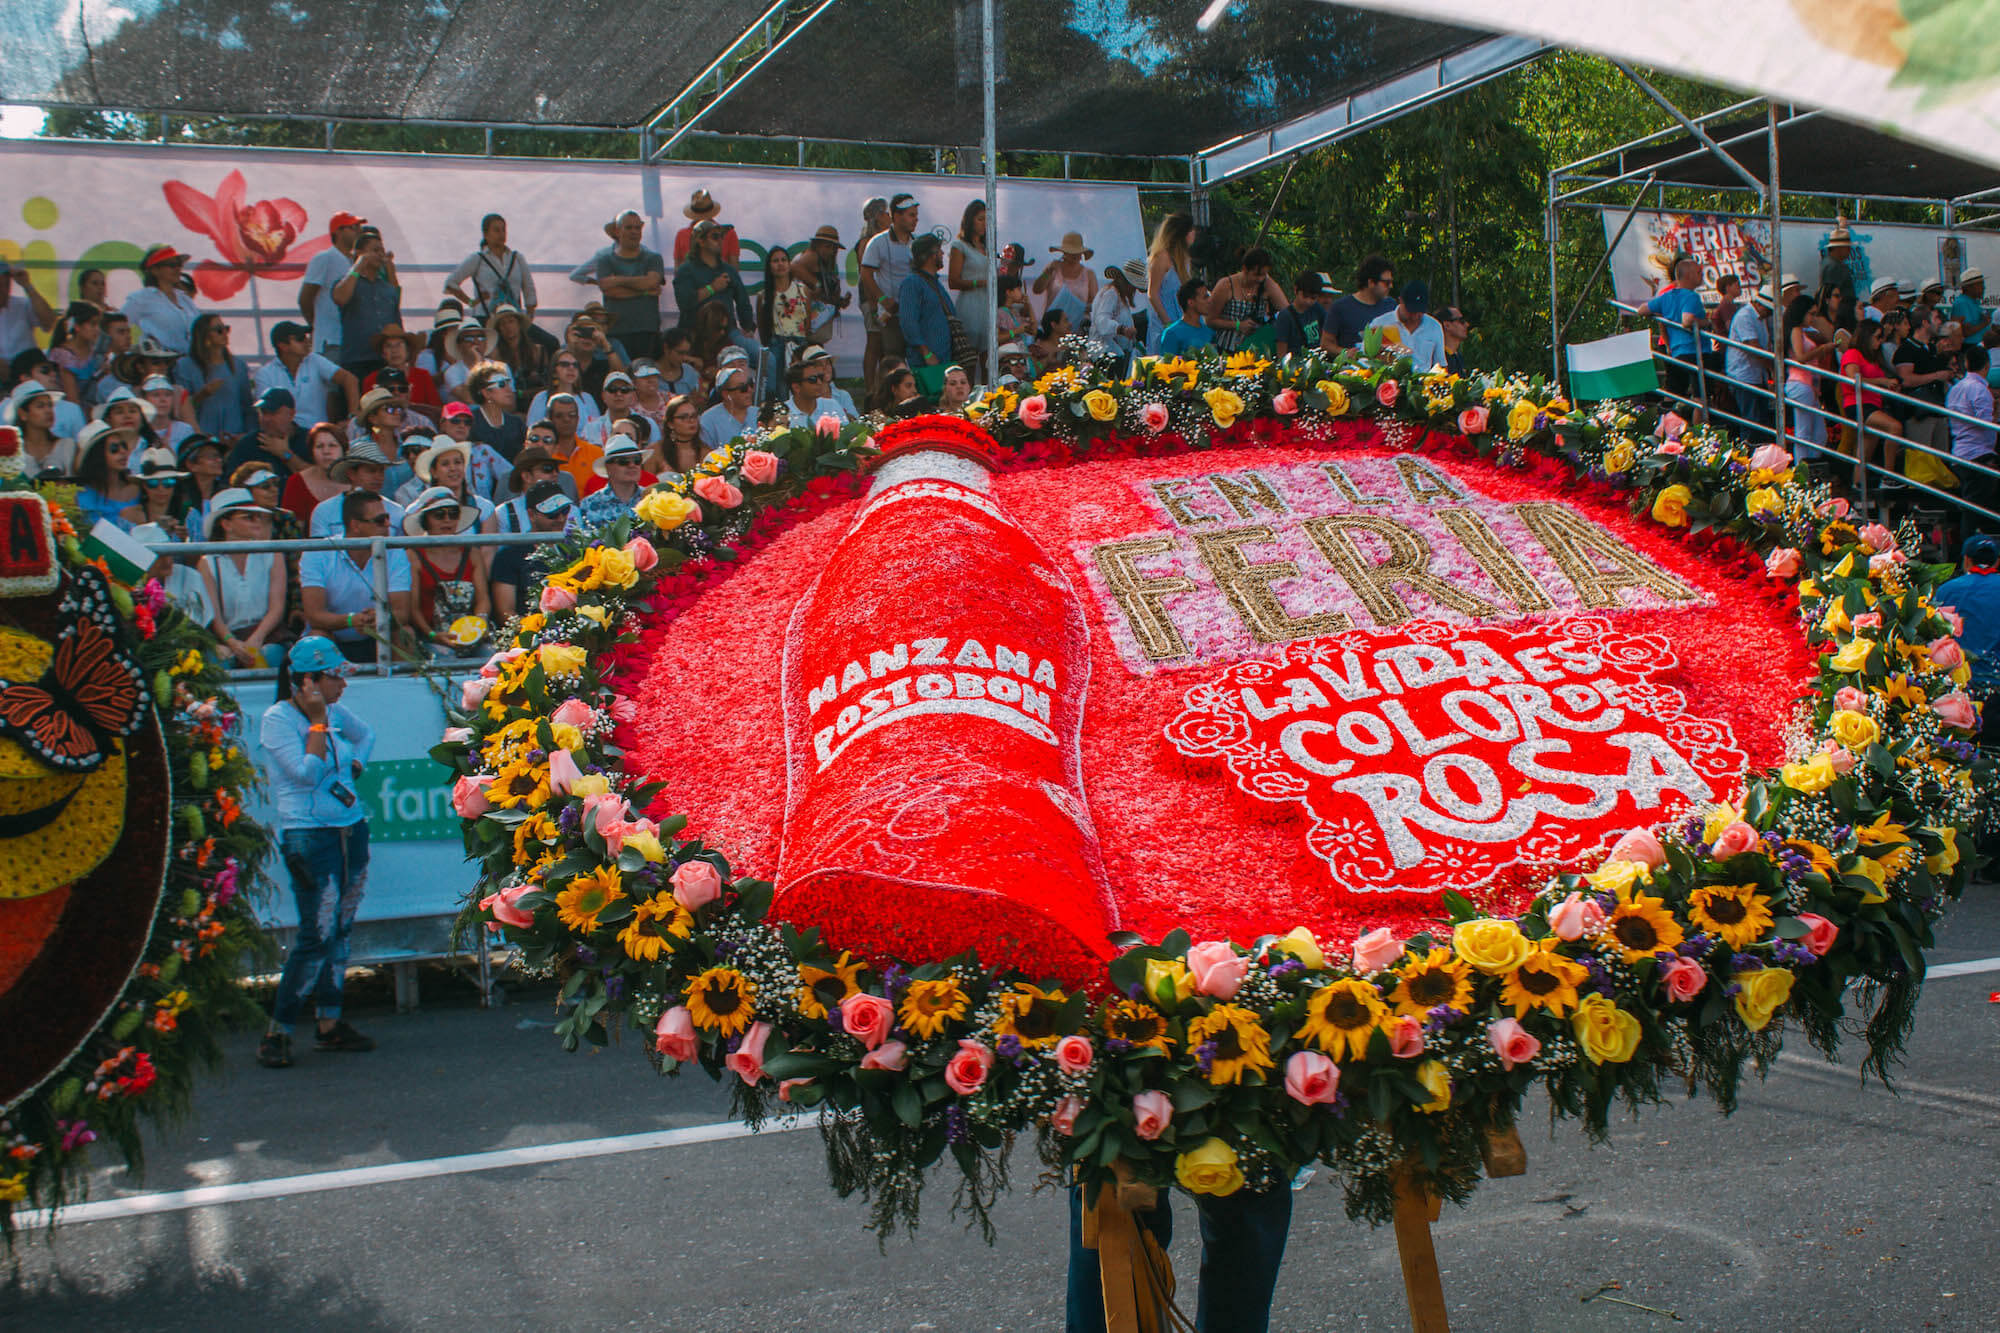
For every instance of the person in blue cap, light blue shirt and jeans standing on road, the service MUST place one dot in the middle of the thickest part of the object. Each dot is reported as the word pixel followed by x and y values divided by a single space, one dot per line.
pixel 315 754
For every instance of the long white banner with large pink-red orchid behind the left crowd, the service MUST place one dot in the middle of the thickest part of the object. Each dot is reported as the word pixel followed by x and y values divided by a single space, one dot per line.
pixel 263 215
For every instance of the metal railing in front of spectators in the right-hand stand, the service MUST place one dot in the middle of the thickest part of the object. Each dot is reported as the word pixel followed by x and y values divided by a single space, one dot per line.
pixel 1783 365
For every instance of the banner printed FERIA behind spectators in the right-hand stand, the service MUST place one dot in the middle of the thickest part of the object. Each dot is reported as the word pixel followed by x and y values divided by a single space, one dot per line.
pixel 1723 245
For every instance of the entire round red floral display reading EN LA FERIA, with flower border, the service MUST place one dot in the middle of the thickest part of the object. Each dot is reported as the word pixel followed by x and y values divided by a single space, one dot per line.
pixel 1225 770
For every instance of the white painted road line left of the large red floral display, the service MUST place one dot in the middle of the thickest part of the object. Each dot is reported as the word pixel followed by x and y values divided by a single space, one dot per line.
pixel 389 1174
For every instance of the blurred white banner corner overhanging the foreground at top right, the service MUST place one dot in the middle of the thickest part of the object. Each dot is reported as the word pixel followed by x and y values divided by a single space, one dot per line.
pixel 1921 71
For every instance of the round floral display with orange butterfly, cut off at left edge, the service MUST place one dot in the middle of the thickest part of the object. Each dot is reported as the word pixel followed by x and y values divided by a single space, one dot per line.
pixel 161 920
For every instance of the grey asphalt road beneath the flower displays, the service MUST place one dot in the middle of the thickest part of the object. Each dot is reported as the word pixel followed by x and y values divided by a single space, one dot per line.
pixel 1819 1206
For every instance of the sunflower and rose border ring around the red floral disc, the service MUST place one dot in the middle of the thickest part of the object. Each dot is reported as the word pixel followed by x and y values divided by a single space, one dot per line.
pixel 1227 1064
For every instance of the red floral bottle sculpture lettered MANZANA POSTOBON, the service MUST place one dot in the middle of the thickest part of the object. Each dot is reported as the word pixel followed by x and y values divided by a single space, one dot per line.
pixel 935 686
